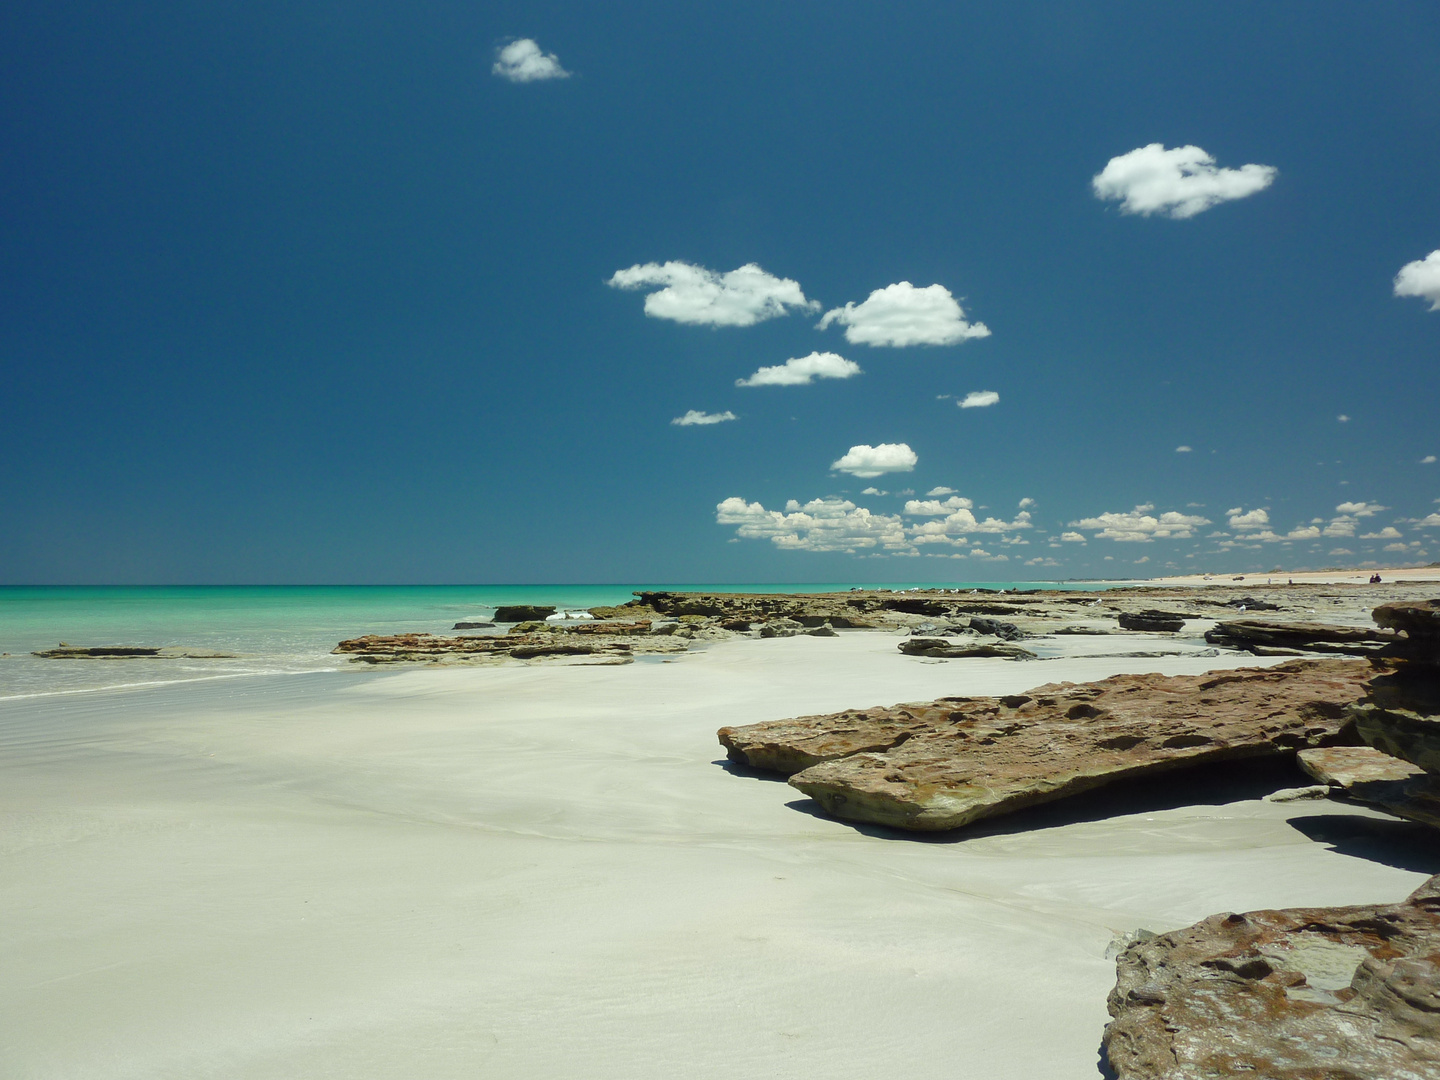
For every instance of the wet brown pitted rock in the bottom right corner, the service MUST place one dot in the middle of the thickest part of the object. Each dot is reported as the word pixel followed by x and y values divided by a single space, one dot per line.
pixel 1297 994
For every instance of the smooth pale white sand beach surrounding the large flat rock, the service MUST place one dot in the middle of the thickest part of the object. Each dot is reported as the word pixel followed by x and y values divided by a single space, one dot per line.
pixel 546 872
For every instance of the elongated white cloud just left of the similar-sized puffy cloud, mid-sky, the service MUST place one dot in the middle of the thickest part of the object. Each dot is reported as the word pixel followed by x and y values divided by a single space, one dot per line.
pixel 703 297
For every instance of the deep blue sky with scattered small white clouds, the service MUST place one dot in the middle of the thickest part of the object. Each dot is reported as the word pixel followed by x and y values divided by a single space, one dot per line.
pixel 322 293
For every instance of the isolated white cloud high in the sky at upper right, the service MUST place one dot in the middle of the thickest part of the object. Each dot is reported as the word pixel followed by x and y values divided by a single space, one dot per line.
pixel 1179 184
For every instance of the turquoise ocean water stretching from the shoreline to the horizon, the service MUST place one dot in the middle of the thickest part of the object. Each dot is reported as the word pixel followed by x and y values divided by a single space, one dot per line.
pixel 280 630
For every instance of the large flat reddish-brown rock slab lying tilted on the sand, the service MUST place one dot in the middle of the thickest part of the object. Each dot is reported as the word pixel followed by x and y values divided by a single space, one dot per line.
pixel 947 764
